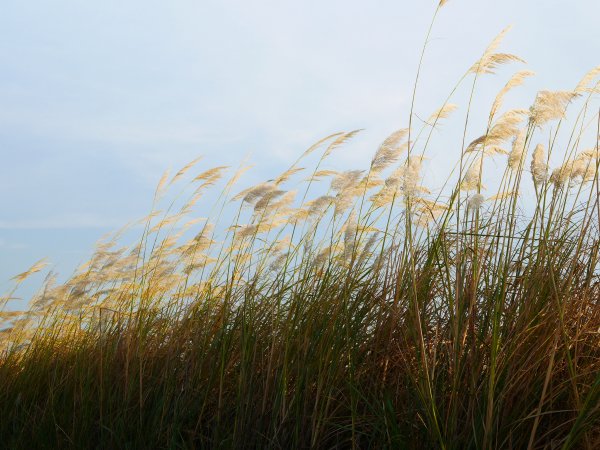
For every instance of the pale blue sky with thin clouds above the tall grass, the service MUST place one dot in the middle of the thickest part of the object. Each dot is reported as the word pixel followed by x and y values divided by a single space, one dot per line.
pixel 97 99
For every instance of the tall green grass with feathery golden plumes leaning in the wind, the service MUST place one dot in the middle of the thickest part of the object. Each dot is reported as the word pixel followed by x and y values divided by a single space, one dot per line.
pixel 366 313
